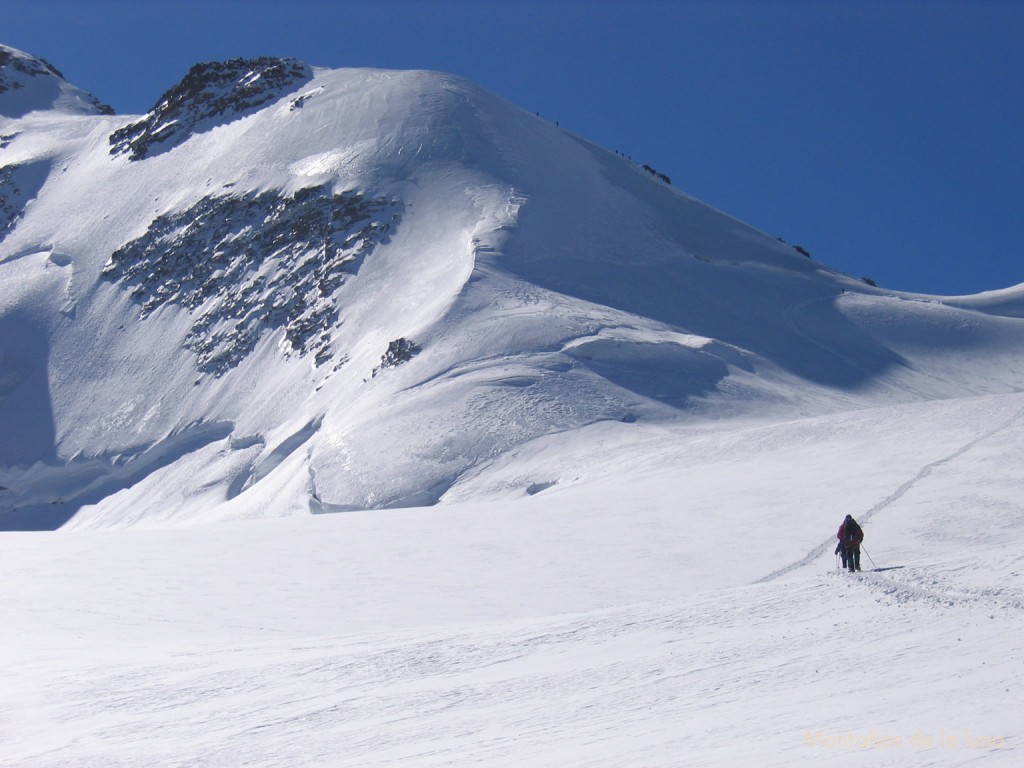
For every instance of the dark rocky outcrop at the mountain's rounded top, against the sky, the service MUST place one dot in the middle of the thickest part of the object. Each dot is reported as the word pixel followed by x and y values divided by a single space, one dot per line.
pixel 211 95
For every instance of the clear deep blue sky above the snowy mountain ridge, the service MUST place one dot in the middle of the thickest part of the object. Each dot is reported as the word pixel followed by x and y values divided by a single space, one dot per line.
pixel 885 138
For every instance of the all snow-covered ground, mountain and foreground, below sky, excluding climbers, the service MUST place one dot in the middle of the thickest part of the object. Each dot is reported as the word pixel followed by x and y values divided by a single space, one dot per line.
pixel 584 517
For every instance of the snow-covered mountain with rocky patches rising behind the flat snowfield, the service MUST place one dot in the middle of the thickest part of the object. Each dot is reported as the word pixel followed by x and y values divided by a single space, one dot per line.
pixel 368 288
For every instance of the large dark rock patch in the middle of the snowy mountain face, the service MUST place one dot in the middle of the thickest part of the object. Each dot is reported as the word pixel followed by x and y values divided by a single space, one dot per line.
pixel 247 265
